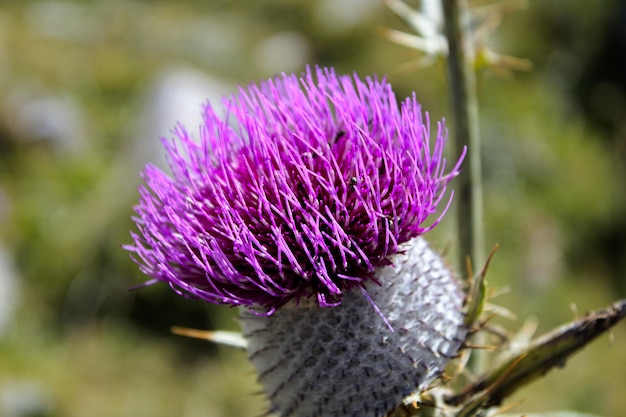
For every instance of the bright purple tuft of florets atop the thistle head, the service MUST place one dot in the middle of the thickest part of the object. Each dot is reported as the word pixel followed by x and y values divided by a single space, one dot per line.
pixel 305 188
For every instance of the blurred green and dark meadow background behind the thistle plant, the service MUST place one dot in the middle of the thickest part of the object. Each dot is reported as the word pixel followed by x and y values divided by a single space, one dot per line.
pixel 88 87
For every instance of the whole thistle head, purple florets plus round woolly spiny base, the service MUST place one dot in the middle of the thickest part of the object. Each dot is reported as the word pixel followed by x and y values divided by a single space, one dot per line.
pixel 305 205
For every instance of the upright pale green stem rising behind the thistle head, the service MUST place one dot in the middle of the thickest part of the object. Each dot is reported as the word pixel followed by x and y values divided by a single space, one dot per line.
pixel 464 103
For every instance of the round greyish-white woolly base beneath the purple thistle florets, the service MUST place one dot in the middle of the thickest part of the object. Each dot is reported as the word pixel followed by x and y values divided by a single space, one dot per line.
pixel 345 360
